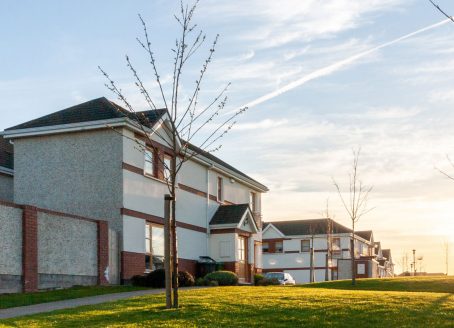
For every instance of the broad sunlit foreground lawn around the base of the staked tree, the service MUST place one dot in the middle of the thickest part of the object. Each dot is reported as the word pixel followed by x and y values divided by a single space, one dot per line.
pixel 272 306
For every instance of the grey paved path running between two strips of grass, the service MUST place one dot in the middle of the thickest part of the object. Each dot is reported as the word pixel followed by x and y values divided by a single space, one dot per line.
pixel 66 304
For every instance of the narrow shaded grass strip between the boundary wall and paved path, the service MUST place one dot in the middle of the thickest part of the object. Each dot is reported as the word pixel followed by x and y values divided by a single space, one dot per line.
pixel 21 299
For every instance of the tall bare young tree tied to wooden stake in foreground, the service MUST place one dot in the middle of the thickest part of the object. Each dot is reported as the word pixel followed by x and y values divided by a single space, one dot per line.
pixel 185 119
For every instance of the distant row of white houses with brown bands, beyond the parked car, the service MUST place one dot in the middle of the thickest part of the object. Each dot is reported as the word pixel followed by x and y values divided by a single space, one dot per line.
pixel 317 250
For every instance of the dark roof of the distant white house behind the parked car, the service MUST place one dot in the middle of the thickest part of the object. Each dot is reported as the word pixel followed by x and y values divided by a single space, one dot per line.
pixel 307 227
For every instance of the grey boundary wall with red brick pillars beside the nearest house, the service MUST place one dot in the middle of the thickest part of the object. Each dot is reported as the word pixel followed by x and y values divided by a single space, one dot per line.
pixel 42 249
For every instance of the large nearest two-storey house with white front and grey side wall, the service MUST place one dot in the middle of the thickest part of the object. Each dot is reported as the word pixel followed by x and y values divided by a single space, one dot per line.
pixel 78 161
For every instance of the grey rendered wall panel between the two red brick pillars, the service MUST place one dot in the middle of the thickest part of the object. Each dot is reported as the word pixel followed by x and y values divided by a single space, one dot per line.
pixel 67 251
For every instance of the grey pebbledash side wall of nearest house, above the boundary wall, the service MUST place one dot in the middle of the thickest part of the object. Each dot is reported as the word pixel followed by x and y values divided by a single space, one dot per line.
pixel 78 173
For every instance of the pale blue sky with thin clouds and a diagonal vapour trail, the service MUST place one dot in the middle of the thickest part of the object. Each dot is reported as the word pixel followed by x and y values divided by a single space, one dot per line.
pixel 316 92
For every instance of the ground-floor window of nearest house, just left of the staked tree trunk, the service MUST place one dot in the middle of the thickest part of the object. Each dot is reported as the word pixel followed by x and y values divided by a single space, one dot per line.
pixel 154 247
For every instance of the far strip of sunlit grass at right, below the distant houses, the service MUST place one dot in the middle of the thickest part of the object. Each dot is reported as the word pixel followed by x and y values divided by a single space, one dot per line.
pixel 441 284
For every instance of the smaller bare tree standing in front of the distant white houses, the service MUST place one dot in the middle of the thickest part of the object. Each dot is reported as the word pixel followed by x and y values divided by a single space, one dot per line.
pixel 355 204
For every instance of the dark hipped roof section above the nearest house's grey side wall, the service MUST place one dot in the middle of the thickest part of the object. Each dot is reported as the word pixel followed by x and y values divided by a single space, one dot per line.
pixel 93 110
